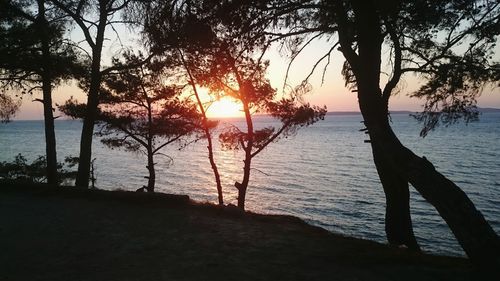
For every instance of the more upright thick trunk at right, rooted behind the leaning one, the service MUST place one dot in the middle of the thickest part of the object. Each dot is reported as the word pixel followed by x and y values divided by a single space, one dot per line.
pixel 366 68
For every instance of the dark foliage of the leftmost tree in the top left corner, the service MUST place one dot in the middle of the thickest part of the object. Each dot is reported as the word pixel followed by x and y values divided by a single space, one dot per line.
pixel 21 52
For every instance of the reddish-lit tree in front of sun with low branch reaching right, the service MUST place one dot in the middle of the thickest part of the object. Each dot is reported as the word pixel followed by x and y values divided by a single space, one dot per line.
pixel 228 61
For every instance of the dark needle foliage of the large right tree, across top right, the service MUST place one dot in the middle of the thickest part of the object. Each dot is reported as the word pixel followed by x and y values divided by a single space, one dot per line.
pixel 450 45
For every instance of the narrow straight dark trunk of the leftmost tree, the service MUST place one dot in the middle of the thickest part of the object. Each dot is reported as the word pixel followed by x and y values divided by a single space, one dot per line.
pixel 50 137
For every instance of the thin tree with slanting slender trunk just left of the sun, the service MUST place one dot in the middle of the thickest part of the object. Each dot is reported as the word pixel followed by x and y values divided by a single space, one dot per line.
pixel 174 28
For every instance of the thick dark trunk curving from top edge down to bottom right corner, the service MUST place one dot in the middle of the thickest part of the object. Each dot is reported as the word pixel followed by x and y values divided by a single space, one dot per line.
pixel 474 234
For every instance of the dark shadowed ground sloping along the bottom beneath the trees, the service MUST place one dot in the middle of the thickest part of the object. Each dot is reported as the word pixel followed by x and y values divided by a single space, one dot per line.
pixel 69 234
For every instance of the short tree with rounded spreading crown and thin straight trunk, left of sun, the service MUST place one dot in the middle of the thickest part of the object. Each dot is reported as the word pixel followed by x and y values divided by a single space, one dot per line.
pixel 139 112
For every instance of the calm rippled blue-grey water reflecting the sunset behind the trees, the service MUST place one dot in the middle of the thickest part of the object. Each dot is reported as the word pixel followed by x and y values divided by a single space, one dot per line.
pixel 324 174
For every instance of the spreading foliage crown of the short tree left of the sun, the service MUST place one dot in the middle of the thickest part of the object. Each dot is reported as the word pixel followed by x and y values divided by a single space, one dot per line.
pixel 139 103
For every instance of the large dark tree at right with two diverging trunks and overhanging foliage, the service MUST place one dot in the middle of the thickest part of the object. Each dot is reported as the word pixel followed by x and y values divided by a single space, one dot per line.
pixel 450 45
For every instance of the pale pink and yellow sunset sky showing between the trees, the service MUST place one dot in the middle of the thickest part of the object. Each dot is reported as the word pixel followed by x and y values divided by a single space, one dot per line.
pixel 331 93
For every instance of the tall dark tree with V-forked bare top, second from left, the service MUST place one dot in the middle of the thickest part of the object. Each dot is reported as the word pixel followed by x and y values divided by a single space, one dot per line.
pixel 92 17
